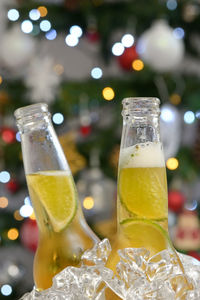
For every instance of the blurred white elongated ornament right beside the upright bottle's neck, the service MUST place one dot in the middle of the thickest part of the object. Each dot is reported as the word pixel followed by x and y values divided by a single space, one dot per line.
pixel 170 129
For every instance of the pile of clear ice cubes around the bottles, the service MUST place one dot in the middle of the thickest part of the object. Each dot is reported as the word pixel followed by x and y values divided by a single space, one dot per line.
pixel 138 277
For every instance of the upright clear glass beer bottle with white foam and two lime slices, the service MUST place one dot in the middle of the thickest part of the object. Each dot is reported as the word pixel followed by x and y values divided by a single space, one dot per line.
pixel 142 204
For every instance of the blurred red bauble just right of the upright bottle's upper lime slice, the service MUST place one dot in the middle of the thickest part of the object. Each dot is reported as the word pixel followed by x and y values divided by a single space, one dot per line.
pixel 175 201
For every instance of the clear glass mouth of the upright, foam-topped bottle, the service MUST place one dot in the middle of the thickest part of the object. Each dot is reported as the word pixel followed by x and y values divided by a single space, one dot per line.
pixel 141 105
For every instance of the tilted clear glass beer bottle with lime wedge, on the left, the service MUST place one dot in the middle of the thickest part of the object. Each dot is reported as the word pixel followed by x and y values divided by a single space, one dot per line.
pixel 63 231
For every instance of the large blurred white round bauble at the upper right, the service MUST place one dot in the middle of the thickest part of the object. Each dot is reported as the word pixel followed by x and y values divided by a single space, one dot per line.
pixel 160 47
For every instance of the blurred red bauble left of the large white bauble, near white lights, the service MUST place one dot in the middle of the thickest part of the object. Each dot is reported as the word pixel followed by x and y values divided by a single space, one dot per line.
pixel 126 59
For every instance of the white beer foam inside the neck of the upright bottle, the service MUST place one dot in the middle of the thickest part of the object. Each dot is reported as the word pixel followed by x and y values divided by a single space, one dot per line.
pixel 142 155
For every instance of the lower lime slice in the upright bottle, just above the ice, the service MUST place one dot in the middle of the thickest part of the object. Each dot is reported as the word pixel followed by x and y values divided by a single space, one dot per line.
pixel 145 234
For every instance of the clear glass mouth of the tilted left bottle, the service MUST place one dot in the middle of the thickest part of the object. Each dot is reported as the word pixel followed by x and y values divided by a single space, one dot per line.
pixel 33 110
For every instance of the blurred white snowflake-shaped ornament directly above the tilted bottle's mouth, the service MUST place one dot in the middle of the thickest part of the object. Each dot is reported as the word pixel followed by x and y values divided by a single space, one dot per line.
pixel 42 80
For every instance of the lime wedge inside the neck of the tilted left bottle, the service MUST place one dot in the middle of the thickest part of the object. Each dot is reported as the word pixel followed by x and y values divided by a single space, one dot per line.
pixel 55 191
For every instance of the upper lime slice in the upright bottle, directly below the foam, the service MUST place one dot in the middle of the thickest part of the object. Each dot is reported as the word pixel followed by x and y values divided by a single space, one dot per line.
pixel 143 191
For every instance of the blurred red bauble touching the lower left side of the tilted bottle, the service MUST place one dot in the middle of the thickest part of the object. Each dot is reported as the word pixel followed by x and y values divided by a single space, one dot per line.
pixel 29 234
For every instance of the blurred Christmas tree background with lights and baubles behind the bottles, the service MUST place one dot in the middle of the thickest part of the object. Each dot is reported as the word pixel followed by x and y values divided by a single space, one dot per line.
pixel 82 58
